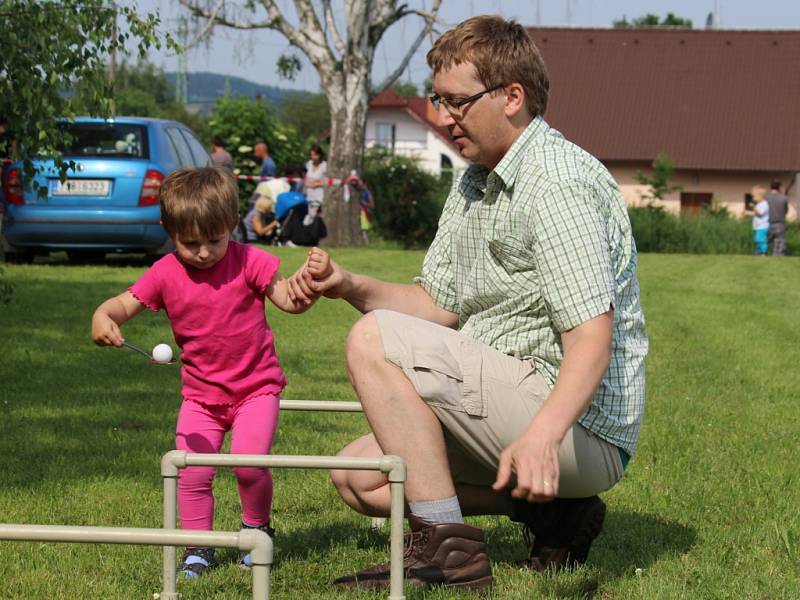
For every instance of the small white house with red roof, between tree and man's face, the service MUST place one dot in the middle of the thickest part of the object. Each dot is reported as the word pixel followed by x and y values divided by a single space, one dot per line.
pixel 407 126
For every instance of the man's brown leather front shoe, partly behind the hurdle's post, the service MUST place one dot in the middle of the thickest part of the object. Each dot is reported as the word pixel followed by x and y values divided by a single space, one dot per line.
pixel 446 554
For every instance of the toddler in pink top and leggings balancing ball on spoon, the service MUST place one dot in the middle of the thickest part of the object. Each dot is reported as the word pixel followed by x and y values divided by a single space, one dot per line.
pixel 213 291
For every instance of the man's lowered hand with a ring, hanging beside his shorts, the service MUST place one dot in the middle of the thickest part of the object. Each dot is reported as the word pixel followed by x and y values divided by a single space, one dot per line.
pixel 534 459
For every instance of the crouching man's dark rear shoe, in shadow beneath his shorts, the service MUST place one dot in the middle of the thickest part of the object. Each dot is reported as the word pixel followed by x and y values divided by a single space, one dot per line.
pixel 559 533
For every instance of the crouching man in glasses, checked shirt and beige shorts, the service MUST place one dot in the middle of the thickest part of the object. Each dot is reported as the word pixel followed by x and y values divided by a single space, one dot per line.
pixel 510 377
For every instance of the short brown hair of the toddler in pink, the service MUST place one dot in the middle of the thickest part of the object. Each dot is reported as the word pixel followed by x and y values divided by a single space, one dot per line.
pixel 202 200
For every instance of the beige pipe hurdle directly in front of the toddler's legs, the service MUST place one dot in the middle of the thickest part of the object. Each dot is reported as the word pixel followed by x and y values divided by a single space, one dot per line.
pixel 393 466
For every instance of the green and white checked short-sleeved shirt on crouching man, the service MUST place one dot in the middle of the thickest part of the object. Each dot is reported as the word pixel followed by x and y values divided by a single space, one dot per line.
pixel 538 246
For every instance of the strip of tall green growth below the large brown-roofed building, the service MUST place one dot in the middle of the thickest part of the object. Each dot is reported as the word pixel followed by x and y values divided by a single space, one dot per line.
pixel 712 232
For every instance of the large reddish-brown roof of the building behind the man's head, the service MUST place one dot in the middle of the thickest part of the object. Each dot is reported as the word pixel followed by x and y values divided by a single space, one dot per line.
pixel 709 99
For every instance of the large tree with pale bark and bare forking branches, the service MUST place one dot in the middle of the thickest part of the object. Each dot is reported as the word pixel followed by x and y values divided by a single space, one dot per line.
pixel 344 64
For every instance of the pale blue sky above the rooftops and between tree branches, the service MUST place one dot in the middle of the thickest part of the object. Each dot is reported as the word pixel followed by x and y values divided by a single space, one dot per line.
pixel 252 55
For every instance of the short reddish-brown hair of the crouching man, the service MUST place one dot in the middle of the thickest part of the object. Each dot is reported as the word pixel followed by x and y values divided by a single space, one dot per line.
pixel 502 53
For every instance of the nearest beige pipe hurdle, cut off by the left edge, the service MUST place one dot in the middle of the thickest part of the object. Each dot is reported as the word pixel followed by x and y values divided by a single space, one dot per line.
pixel 254 541
